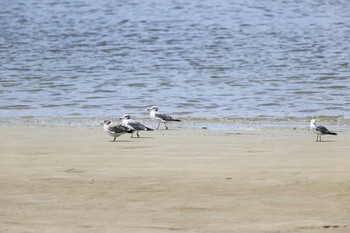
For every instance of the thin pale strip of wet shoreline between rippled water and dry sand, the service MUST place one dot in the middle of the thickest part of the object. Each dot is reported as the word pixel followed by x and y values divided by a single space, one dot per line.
pixel 215 124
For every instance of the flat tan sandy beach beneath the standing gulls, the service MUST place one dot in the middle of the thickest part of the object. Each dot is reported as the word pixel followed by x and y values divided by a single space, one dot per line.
pixel 73 179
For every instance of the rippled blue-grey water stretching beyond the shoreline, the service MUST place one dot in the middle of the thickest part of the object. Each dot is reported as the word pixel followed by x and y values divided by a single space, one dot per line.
pixel 195 59
